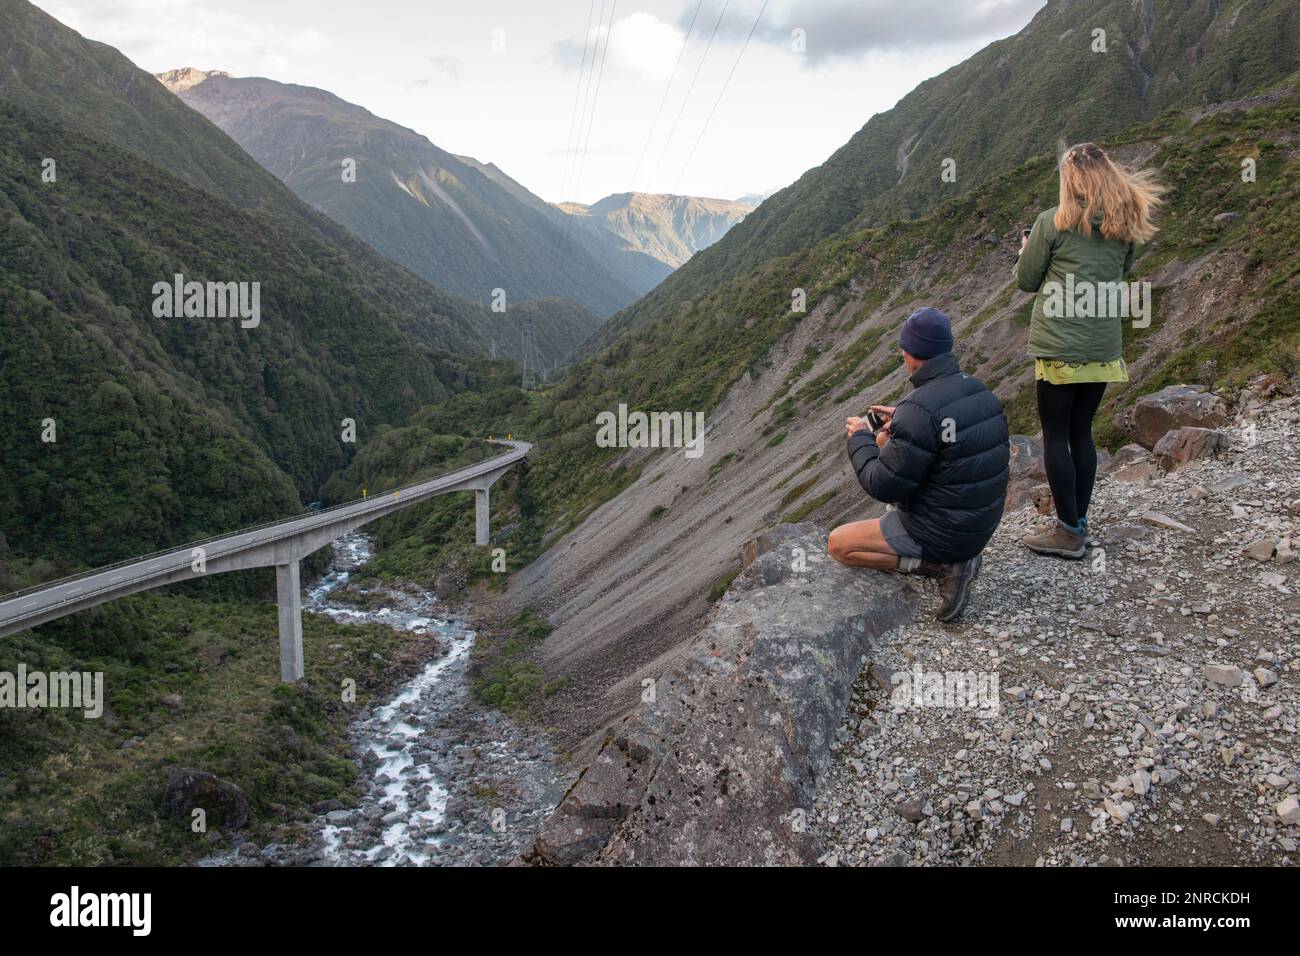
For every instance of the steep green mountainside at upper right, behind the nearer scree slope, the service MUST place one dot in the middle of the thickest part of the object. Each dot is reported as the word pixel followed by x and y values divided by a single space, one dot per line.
pixel 1015 100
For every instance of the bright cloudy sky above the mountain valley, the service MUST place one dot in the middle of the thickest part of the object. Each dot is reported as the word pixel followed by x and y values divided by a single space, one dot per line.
pixel 565 105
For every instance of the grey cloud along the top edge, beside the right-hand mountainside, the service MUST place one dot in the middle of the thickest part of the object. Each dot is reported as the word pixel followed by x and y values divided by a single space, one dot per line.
pixel 853 28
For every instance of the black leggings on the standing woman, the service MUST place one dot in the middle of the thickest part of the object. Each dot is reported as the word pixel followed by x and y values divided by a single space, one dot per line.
pixel 1069 455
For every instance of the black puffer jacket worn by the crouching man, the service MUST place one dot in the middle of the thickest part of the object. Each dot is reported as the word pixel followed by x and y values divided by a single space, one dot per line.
pixel 946 464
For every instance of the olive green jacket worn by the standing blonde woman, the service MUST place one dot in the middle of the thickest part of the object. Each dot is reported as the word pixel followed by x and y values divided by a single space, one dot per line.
pixel 1072 261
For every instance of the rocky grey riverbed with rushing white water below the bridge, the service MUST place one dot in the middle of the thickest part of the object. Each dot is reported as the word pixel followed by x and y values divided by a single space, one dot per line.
pixel 444 780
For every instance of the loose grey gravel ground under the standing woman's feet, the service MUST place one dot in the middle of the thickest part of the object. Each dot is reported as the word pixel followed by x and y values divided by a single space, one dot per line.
pixel 1146 699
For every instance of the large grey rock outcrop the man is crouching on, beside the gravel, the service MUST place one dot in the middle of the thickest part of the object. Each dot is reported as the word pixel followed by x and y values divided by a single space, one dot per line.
pixel 720 763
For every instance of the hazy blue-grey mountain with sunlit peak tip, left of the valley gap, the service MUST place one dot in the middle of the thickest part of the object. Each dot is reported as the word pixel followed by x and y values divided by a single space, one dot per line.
pixel 444 218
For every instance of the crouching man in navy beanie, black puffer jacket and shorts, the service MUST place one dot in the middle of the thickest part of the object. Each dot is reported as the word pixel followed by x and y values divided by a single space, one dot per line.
pixel 942 457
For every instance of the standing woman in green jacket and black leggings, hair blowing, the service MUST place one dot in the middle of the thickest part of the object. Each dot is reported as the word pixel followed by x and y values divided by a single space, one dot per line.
pixel 1073 258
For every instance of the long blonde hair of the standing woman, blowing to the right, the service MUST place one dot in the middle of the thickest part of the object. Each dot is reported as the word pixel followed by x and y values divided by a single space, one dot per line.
pixel 1091 184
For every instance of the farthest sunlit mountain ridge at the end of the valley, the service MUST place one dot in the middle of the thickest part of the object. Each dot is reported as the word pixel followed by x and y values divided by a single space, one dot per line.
pixel 666 227
